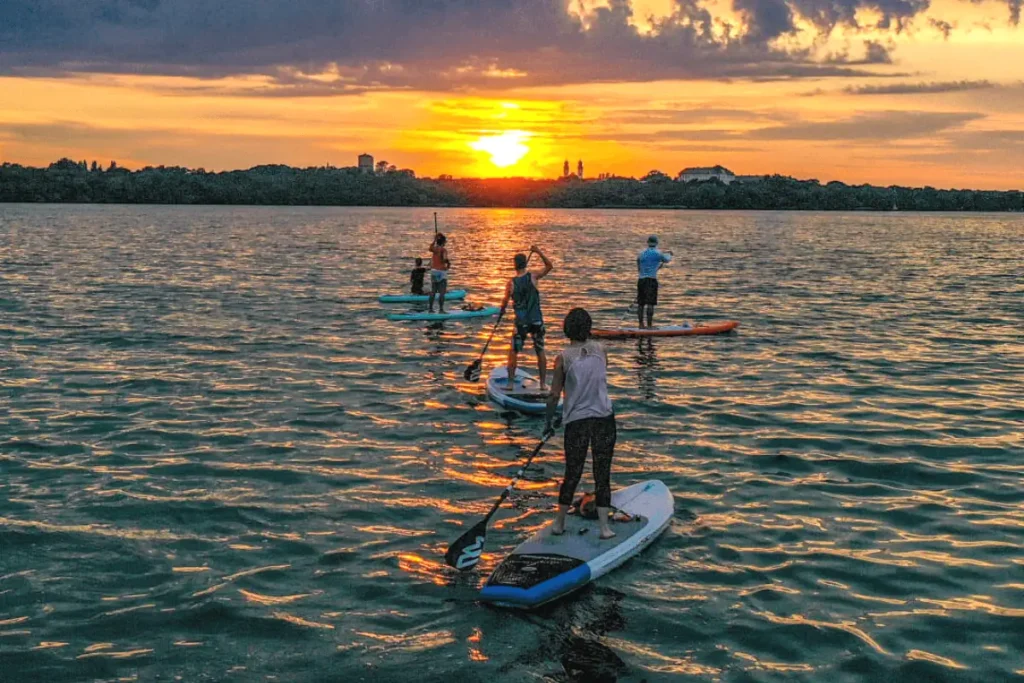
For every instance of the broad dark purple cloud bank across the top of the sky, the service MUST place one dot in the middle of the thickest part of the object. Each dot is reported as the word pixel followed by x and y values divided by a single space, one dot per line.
pixel 426 45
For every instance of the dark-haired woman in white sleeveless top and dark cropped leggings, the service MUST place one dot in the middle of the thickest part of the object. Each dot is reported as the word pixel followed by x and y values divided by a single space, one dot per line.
pixel 587 415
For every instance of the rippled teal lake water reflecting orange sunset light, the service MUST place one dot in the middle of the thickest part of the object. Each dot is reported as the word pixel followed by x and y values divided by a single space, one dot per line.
pixel 219 462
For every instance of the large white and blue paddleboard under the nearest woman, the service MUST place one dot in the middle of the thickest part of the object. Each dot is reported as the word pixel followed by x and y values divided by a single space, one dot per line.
pixel 547 567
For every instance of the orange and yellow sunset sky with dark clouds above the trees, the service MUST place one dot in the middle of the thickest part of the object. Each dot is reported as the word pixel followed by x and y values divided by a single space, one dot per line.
pixel 883 92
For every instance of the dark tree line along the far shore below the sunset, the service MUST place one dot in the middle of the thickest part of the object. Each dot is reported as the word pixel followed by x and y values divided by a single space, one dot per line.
pixel 73 182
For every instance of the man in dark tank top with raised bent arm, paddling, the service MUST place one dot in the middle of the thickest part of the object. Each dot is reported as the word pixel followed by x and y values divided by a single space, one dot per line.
pixel 529 318
